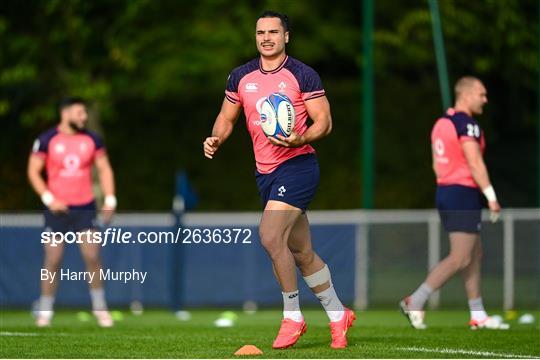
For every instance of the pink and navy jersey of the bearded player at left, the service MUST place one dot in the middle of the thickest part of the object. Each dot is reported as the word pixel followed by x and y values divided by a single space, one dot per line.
pixel 68 163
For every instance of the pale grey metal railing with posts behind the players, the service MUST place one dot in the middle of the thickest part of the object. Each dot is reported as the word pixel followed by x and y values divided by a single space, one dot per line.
pixel 361 218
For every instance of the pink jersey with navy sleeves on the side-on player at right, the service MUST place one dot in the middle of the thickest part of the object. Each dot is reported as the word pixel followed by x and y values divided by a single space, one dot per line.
pixel 448 133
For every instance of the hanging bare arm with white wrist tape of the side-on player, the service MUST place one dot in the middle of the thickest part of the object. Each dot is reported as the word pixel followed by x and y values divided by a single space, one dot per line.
pixel 473 155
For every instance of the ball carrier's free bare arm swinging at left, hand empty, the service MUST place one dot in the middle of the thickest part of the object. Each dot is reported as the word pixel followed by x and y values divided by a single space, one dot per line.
pixel 223 127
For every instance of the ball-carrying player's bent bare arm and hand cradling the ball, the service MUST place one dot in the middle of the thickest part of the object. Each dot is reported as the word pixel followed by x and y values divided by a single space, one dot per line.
pixel 319 111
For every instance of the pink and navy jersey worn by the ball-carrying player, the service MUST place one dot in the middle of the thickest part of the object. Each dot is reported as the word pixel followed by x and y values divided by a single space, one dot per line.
pixel 250 85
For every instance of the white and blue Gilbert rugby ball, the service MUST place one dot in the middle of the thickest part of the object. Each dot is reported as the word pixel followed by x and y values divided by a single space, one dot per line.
pixel 277 115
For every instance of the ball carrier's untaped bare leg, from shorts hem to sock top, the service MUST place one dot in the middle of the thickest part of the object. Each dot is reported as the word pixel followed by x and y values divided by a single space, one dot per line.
pixel 274 230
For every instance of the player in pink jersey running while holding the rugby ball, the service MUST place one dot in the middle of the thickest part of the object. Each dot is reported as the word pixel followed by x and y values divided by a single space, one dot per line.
pixel 287 171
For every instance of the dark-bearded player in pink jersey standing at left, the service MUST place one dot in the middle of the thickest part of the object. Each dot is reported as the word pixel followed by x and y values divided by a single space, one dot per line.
pixel 66 153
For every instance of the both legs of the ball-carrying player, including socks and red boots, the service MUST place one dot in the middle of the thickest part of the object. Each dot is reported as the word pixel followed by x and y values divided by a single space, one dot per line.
pixel 285 235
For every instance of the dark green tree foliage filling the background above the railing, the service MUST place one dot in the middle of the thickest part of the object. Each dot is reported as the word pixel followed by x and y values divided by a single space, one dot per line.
pixel 155 72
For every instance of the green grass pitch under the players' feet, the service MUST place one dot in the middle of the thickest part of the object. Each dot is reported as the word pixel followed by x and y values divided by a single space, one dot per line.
pixel 158 334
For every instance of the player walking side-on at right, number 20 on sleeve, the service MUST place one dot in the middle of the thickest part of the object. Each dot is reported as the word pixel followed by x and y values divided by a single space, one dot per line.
pixel 457 147
